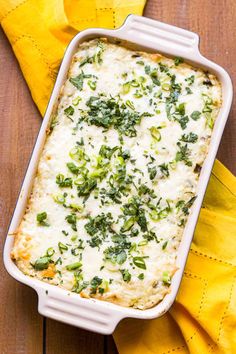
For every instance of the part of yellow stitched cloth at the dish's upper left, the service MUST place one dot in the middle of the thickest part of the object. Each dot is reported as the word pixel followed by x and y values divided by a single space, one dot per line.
pixel 40 30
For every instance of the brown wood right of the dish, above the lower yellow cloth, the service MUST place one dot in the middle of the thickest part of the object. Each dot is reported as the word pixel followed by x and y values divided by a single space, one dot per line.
pixel 215 22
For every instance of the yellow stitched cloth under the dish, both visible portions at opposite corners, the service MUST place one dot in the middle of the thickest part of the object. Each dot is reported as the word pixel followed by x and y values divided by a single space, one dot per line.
pixel 203 318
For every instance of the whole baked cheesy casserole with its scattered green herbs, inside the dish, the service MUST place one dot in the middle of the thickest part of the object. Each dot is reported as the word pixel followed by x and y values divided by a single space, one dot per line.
pixel 118 175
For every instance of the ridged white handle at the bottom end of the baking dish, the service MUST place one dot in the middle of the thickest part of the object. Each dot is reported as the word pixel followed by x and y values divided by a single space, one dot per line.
pixel 84 313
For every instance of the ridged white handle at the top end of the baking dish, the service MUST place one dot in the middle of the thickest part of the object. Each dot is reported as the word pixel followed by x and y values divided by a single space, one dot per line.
pixel 150 33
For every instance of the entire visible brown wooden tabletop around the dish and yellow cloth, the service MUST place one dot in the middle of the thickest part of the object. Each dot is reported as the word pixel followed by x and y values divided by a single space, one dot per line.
pixel 22 329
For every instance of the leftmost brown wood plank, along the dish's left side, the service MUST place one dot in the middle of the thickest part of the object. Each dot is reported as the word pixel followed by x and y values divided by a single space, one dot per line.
pixel 21 329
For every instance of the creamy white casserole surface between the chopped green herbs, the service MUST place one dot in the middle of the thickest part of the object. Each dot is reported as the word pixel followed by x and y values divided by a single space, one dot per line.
pixel 118 67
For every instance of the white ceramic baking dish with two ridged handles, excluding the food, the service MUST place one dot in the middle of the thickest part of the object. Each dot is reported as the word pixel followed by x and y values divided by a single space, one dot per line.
pixel 95 315
